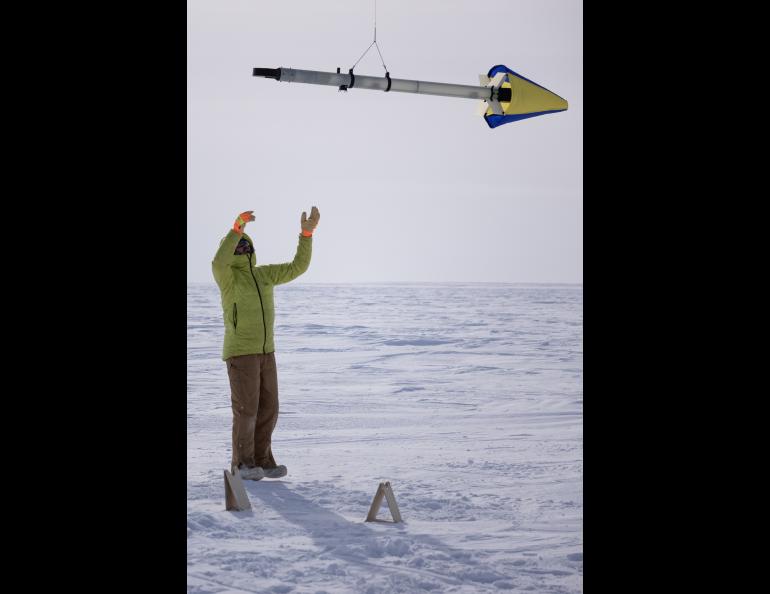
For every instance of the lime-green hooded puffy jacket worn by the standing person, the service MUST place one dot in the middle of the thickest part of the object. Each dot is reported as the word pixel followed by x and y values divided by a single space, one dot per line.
pixel 247 294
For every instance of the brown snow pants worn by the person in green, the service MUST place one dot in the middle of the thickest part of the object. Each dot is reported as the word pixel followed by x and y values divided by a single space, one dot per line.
pixel 254 396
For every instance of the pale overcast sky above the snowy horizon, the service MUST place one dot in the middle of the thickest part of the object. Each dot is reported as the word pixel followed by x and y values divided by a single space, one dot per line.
pixel 410 187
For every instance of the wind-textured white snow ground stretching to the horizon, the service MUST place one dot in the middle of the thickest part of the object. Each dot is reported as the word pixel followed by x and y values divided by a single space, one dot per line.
pixel 467 397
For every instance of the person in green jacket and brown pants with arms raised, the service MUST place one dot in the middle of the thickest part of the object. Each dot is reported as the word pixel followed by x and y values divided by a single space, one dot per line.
pixel 249 350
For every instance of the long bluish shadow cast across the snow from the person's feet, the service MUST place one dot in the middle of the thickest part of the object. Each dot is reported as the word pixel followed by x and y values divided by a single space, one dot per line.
pixel 362 544
